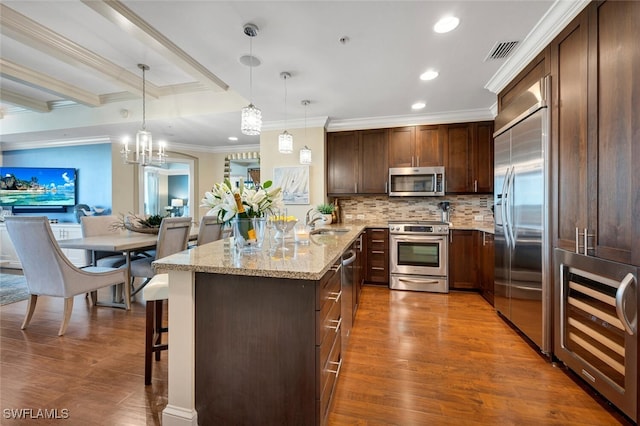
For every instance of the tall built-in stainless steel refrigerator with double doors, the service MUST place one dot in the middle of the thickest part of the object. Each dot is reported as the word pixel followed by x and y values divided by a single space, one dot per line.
pixel 522 251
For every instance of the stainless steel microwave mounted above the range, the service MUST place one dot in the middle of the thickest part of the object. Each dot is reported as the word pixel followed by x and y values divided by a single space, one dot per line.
pixel 416 181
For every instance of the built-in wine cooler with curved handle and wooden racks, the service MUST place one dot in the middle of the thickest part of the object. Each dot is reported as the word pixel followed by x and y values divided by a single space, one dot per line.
pixel 596 324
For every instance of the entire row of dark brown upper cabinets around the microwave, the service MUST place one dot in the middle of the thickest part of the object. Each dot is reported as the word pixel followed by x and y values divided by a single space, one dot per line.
pixel 358 162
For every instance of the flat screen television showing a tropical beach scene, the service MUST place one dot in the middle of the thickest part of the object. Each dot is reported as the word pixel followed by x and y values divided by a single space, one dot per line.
pixel 37 187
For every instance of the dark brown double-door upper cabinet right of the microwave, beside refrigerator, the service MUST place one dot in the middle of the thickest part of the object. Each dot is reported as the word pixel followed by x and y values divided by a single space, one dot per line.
pixel 469 158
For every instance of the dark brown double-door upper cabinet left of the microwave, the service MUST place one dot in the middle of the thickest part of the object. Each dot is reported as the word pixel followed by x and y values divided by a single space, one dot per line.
pixel 357 162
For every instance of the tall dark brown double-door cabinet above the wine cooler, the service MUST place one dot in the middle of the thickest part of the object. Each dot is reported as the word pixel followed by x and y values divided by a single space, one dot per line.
pixel 596 124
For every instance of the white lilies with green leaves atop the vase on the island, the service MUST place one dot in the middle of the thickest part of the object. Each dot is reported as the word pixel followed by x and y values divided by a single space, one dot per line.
pixel 257 202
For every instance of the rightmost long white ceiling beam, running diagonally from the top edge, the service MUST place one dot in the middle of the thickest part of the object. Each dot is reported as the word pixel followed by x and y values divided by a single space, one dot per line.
pixel 125 19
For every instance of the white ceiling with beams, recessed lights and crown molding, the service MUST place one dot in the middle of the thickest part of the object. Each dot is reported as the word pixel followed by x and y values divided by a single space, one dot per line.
pixel 88 51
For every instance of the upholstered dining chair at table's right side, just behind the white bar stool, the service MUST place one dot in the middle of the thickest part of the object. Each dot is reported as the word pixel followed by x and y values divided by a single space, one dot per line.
pixel 173 237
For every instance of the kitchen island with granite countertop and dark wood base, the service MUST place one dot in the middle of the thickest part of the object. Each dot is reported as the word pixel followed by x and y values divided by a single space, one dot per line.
pixel 254 338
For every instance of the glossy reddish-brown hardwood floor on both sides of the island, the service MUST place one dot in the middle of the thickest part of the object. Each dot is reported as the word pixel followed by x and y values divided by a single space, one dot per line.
pixel 413 359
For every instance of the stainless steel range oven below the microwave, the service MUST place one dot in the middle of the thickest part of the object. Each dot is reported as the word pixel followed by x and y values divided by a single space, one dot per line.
pixel 418 256
